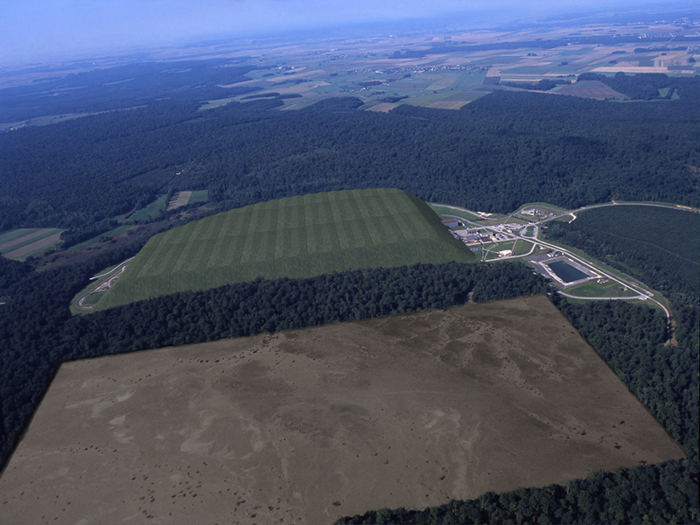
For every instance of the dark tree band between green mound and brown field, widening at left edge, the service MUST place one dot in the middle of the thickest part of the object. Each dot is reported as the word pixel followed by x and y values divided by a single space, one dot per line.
pixel 37 332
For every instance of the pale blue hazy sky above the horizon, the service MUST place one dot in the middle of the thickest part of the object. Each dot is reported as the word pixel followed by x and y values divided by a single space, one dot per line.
pixel 39 29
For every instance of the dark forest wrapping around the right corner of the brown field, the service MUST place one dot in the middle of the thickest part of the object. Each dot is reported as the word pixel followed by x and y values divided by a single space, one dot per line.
pixel 630 338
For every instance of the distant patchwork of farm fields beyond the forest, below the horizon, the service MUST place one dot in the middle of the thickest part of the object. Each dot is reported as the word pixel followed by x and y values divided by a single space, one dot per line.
pixel 449 72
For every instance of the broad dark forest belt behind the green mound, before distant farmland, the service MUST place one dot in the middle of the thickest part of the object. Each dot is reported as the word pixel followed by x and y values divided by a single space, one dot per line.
pixel 501 151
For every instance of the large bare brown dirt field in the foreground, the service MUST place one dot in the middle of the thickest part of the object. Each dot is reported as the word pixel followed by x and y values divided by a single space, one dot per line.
pixel 309 425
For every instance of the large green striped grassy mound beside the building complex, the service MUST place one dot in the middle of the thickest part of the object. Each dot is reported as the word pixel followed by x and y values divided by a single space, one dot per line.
pixel 293 237
